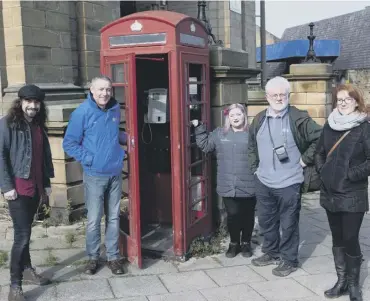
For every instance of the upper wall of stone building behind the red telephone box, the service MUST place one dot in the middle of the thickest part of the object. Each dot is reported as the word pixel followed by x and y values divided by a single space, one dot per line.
pixel 56 43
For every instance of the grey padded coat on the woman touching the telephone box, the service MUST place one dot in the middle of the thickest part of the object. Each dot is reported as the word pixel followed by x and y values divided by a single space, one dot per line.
pixel 234 178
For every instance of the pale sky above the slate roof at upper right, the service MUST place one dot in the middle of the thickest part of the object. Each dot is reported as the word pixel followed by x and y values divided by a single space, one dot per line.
pixel 284 14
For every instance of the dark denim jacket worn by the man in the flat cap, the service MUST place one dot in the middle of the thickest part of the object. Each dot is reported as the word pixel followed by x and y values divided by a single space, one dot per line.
pixel 16 154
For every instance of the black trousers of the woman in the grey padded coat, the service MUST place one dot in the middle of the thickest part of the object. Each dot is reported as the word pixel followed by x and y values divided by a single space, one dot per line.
pixel 240 218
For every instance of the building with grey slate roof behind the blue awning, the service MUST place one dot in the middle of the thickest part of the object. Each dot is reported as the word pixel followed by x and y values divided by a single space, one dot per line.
pixel 353 32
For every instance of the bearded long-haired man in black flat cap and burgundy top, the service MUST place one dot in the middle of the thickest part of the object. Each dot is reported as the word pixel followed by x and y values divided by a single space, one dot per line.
pixel 26 164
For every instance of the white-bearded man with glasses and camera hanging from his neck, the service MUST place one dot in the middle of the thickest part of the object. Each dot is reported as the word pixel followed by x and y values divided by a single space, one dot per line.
pixel 282 142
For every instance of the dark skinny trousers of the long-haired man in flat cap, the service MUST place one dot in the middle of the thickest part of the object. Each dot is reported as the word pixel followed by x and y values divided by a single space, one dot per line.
pixel 22 211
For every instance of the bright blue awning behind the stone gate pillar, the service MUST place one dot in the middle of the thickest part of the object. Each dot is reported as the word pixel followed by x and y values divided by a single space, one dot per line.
pixel 282 51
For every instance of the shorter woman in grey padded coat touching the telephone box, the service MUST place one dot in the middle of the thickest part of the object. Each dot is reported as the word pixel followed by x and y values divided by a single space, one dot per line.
pixel 235 182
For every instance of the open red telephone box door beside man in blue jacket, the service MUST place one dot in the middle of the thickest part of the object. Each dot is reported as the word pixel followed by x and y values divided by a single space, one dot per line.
pixel 122 71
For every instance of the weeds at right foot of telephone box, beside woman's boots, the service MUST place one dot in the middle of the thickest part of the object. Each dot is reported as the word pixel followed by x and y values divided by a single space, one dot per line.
pixel 202 247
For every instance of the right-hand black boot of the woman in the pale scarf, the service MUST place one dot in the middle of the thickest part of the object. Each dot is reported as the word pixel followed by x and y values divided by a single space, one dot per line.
pixel 353 271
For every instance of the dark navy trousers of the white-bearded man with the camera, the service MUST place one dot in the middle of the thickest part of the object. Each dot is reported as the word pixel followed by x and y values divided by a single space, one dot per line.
pixel 279 208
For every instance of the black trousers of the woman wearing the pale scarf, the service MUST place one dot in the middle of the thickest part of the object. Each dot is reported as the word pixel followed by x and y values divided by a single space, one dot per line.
pixel 345 228
